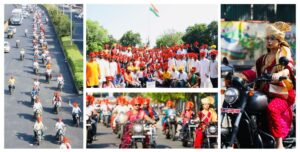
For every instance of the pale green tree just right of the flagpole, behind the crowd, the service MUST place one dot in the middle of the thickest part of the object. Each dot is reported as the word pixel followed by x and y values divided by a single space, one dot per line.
pixel 169 39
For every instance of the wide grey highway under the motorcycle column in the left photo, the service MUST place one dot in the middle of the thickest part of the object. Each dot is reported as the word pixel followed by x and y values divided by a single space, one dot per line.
pixel 18 109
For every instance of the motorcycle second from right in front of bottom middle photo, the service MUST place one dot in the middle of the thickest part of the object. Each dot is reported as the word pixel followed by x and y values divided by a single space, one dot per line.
pixel 187 132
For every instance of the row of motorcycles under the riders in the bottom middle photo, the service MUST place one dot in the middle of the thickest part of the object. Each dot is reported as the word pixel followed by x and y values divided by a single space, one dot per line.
pixel 144 135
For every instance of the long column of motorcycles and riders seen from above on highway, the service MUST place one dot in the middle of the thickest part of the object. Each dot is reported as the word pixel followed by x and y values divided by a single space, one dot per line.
pixel 38 44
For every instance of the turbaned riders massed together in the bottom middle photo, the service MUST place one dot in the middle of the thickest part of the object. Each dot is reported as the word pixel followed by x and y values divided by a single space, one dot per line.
pixel 125 111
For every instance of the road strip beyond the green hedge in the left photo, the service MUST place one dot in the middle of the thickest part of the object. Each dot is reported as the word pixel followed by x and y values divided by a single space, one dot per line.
pixel 78 26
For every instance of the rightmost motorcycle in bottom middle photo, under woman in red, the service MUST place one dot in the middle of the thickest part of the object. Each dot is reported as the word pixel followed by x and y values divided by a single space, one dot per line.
pixel 210 136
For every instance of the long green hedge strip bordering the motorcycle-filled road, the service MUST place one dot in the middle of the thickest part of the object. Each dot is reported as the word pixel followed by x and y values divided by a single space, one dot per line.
pixel 61 24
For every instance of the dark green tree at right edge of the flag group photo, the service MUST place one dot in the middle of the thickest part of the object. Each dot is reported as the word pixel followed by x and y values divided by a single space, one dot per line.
pixel 202 33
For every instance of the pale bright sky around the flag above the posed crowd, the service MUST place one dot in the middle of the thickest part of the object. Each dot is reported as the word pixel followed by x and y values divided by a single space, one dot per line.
pixel 120 18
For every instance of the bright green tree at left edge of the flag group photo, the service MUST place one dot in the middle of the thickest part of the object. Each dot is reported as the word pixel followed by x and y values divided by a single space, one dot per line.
pixel 96 36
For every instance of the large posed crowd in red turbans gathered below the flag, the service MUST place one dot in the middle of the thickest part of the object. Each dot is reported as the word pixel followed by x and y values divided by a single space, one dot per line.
pixel 179 66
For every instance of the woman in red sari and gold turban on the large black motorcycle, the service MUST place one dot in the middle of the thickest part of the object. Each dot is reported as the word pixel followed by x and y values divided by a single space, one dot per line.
pixel 279 110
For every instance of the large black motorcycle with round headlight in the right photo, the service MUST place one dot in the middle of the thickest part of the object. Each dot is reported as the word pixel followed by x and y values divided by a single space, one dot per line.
pixel 244 113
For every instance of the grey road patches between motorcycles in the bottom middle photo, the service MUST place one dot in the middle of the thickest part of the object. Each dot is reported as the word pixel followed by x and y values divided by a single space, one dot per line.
pixel 107 139
